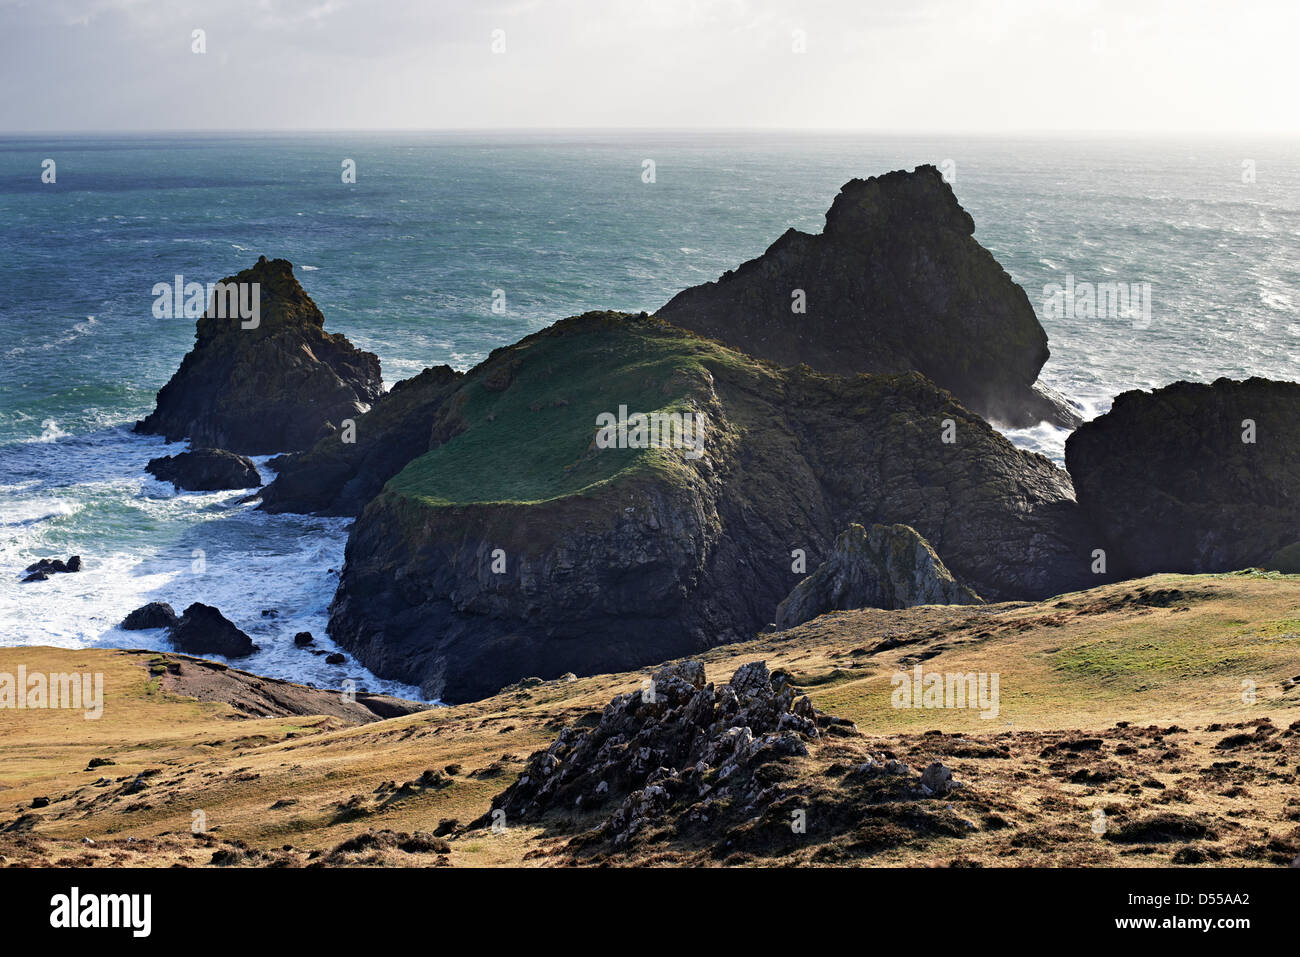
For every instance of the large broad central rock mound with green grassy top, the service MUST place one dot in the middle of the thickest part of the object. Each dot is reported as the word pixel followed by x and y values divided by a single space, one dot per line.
pixel 518 545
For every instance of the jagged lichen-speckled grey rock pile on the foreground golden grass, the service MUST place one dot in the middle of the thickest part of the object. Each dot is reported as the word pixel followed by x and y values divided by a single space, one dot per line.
pixel 670 752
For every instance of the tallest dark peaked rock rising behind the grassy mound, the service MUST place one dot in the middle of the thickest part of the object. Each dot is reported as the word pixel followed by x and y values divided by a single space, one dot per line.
pixel 895 283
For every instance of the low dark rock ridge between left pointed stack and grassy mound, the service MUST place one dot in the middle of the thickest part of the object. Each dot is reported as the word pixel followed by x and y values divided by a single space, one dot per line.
pixel 337 478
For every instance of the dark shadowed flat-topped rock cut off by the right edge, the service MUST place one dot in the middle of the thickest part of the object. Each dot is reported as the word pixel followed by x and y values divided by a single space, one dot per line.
pixel 1175 486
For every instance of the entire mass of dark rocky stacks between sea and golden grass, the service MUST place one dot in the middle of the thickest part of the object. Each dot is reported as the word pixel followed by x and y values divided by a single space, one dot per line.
pixel 840 380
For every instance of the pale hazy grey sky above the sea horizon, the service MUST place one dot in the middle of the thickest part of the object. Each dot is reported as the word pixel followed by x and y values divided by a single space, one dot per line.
pixel 900 66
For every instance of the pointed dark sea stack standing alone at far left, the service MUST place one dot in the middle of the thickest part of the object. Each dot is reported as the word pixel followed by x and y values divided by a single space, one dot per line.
pixel 278 388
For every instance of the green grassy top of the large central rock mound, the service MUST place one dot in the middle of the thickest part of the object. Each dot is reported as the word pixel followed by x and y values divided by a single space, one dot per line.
pixel 525 425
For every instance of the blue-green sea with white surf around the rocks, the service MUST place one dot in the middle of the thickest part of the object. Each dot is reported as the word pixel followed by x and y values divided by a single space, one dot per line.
pixel 410 257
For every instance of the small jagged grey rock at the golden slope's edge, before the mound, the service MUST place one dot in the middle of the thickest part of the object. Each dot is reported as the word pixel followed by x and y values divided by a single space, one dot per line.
pixel 886 568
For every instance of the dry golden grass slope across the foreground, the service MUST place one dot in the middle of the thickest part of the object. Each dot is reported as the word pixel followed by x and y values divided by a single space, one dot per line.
pixel 1171 651
